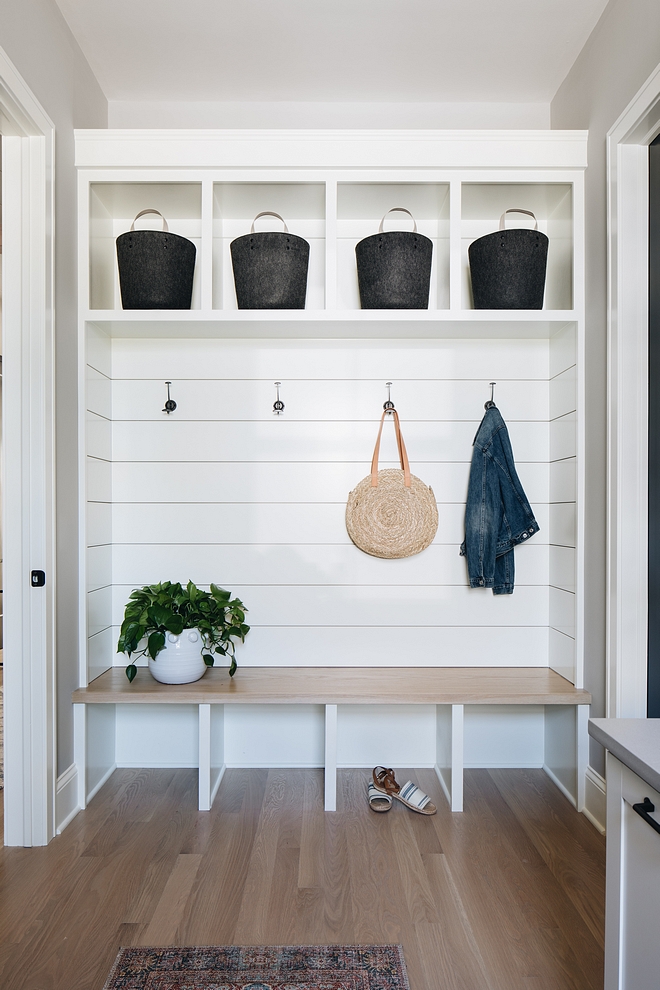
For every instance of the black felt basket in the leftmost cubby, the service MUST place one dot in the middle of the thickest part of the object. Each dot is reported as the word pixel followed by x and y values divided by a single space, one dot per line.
pixel 156 268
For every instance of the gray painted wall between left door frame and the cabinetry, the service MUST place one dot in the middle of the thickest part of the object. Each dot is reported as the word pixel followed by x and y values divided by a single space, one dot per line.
pixel 36 38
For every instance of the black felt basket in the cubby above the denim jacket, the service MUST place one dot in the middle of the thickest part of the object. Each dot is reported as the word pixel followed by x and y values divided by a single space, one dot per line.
pixel 508 267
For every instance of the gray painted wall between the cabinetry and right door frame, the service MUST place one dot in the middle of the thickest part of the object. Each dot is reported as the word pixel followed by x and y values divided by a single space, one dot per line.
pixel 620 54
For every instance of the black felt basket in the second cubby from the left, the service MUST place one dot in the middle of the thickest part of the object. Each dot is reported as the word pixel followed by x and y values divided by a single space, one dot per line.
pixel 270 268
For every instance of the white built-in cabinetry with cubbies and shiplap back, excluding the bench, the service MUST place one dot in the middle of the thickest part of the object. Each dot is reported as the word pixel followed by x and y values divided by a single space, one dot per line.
pixel 222 490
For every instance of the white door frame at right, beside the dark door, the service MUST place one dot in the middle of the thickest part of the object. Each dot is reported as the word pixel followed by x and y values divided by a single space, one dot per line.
pixel 627 572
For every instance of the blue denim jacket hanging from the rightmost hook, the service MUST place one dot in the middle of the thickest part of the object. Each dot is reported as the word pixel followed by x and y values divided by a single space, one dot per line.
pixel 497 513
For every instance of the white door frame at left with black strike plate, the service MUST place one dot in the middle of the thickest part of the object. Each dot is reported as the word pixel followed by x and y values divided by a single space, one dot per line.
pixel 28 517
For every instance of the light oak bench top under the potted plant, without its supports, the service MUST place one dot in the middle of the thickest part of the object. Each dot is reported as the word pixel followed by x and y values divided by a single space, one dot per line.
pixel 343 686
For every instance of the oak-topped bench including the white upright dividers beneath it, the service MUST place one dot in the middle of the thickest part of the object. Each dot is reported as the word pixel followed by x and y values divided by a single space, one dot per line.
pixel 448 688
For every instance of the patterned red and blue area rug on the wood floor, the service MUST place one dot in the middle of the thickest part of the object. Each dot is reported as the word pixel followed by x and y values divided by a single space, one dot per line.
pixel 281 967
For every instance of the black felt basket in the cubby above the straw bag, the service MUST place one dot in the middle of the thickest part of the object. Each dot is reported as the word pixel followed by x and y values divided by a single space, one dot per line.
pixel 394 268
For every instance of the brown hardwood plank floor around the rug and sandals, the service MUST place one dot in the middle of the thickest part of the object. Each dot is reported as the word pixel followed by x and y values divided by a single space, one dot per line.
pixel 508 895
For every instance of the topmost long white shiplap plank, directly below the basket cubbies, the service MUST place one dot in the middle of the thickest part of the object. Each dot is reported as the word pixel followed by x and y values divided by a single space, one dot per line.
pixel 288 359
